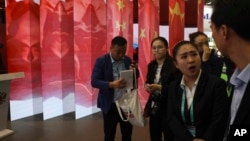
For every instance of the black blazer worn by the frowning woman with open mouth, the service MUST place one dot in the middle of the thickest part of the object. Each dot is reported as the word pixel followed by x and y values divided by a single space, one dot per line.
pixel 210 110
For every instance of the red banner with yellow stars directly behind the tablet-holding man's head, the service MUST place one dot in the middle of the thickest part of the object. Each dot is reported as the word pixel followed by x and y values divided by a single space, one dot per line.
pixel 120 22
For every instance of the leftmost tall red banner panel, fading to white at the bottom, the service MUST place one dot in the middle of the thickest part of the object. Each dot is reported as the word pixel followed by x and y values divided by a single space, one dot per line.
pixel 23 48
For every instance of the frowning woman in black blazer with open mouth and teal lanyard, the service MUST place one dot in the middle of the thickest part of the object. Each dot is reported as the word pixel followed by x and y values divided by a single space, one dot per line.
pixel 197 103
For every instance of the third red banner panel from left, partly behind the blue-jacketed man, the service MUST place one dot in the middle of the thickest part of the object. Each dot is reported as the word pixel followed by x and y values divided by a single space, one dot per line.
pixel 90 43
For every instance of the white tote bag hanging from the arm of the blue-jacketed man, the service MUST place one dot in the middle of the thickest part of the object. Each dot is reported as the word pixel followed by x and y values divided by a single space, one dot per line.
pixel 129 105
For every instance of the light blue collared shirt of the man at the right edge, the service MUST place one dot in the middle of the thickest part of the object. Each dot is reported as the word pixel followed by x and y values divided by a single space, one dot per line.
pixel 239 79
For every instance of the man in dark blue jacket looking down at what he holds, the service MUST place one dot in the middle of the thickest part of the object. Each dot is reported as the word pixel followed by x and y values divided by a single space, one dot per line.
pixel 105 77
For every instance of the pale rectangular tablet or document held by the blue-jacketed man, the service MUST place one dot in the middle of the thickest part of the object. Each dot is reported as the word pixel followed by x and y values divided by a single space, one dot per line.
pixel 128 75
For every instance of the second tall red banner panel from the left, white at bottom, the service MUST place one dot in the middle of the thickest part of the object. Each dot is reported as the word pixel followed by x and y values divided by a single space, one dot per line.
pixel 57 46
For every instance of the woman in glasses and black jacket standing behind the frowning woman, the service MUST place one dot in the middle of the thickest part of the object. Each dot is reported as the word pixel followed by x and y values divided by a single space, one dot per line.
pixel 161 72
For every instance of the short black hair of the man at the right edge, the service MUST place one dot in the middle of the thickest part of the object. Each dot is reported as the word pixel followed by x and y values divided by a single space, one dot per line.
pixel 234 14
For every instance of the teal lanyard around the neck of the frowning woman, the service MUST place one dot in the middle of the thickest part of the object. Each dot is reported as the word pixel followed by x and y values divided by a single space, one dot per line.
pixel 183 102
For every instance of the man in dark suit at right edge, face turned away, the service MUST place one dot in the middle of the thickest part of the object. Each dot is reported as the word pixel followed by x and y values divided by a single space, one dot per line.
pixel 231 32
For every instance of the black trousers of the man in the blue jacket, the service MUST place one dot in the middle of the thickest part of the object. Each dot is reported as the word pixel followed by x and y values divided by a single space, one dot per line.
pixel 111 119
